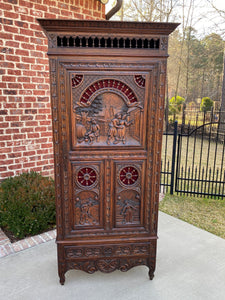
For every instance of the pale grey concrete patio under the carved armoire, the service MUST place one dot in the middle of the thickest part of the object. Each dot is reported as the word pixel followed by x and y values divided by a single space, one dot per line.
pixel 190 265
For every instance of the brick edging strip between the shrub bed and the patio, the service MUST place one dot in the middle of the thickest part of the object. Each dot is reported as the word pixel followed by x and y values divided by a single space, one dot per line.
pixel 8 248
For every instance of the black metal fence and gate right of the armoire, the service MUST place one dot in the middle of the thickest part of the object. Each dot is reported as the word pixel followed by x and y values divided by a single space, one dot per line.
pixel 193 155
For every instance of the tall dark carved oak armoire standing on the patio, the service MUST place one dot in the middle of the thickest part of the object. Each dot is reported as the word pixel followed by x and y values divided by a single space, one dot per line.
pixel 107 92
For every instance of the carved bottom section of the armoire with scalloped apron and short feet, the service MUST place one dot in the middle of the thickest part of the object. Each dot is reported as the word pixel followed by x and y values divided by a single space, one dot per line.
pixel 105 257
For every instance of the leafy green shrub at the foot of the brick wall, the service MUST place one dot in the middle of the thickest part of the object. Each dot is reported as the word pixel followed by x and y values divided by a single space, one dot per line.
pixel 27 204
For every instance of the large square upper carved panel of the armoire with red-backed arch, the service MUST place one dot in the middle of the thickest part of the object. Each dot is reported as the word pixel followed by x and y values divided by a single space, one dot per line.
pixel 108 110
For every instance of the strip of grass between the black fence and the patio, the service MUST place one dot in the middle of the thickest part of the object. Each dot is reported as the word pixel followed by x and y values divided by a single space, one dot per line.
pixel 208 214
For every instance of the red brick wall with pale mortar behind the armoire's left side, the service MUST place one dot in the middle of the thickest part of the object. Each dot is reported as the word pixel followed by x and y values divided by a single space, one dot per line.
pixel 25 114
